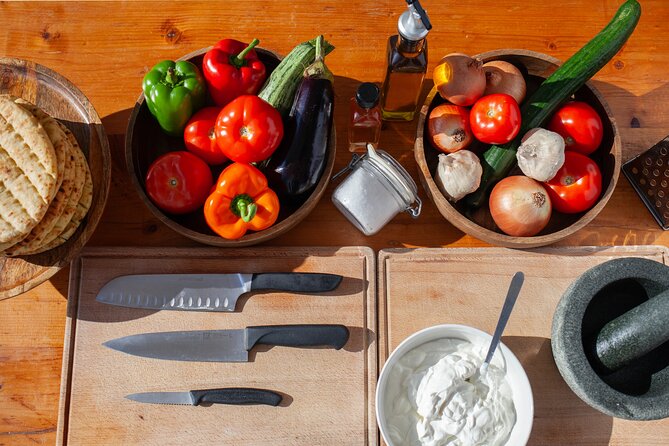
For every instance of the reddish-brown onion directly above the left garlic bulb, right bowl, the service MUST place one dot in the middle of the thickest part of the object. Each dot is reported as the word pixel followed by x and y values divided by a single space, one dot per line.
pixel 449 128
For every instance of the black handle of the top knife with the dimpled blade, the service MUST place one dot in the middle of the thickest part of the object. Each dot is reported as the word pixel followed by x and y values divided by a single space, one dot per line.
pixel 295 282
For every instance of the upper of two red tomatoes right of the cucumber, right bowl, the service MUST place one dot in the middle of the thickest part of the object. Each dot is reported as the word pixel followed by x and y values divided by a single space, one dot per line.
pixel 579 125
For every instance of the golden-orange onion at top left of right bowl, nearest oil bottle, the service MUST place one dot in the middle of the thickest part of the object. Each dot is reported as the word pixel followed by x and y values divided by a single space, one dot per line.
pixel 459 79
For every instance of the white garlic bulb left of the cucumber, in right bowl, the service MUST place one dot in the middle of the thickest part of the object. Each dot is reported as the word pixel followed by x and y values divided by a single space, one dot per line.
pixel 458 174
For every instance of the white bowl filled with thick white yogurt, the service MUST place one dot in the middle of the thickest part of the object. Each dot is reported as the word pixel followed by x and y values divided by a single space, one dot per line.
pixel 430 392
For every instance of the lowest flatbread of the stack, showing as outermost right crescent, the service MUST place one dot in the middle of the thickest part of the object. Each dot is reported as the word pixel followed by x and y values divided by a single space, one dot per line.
pixel 75 211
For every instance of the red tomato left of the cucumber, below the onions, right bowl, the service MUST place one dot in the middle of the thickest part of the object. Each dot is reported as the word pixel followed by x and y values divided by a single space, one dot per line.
pixel 495 118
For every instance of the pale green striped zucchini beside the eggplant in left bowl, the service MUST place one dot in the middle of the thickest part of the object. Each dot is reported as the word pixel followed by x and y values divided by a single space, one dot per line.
pixel 279 89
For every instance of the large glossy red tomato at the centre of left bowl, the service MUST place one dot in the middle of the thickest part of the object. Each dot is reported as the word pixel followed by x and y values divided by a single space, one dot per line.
pixel 248 129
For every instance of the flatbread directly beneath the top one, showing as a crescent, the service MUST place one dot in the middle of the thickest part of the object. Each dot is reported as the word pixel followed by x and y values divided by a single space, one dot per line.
pixel 72 180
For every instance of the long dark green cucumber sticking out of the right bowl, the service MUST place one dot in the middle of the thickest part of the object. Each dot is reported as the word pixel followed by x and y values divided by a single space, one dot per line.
pixel 565 81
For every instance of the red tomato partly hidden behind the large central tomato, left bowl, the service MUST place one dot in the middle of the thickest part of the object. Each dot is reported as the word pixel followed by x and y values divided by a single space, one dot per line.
pixel 200 138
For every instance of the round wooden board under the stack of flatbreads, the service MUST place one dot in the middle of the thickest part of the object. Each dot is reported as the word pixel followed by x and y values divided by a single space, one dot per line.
pixel 65 102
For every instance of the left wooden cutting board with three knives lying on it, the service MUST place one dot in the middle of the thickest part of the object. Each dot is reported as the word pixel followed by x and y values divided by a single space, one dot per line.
pixel 328 394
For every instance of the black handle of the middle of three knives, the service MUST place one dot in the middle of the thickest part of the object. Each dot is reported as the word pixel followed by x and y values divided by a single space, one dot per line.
pixel 334 336
